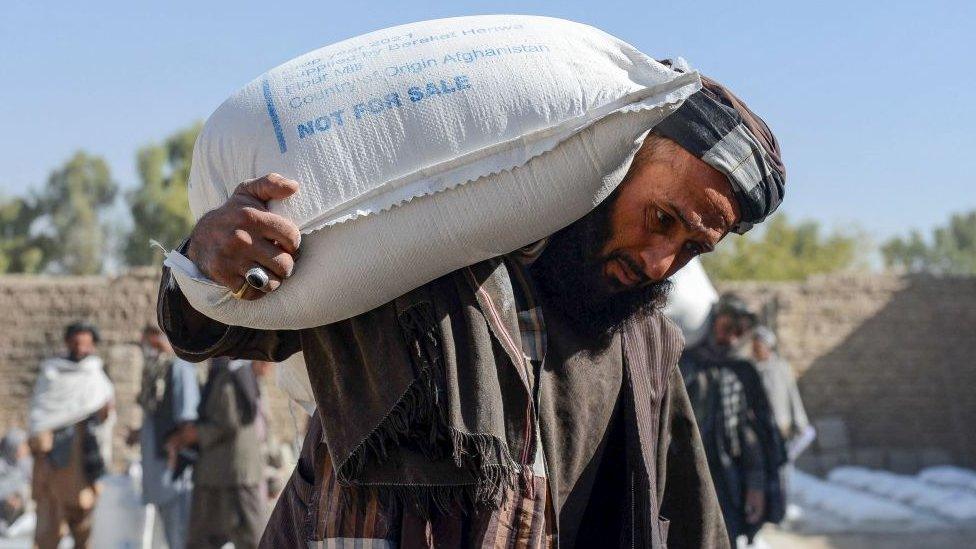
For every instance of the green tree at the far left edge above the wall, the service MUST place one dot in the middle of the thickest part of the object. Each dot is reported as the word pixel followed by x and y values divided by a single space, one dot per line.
pixel 21 251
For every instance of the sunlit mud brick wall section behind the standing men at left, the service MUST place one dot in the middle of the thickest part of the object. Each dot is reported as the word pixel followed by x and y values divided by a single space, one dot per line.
pixel 33 313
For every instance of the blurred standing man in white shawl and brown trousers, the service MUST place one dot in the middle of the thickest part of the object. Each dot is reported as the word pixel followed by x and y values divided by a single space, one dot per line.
pixel 70 438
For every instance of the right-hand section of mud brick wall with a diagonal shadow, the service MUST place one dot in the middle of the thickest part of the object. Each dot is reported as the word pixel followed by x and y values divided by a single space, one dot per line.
pixel 887 365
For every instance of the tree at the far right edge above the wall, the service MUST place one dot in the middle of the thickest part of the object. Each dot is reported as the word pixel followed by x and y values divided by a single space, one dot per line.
pixel 952 249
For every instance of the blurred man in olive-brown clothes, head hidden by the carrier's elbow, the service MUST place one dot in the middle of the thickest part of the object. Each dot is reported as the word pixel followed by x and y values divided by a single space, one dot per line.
pixel 228 502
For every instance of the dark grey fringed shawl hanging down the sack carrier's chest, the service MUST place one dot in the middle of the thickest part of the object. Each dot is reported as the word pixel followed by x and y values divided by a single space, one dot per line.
pixel 428 397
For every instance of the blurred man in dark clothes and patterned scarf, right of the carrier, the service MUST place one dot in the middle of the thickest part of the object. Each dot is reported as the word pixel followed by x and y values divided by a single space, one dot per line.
pixel 734 420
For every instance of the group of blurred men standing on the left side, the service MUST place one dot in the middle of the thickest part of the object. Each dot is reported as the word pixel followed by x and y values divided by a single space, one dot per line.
pixel 209 465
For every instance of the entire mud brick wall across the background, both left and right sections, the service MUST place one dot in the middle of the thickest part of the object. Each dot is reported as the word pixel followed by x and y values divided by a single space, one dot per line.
pixel 887 364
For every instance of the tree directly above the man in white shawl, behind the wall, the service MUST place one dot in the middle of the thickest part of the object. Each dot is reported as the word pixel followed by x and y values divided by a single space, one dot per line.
pixel 72 201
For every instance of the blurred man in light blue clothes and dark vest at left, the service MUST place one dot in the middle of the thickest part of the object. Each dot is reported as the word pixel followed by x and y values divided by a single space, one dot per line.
pixel 169 397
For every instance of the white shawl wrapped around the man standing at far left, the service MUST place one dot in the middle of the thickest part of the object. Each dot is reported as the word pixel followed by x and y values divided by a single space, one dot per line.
pixel 67 392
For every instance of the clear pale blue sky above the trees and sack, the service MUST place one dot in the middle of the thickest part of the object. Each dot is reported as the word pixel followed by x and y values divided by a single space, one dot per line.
pixel 873 102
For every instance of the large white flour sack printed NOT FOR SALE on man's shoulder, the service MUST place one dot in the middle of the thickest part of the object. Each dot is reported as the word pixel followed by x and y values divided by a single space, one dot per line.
pixel 425 148
